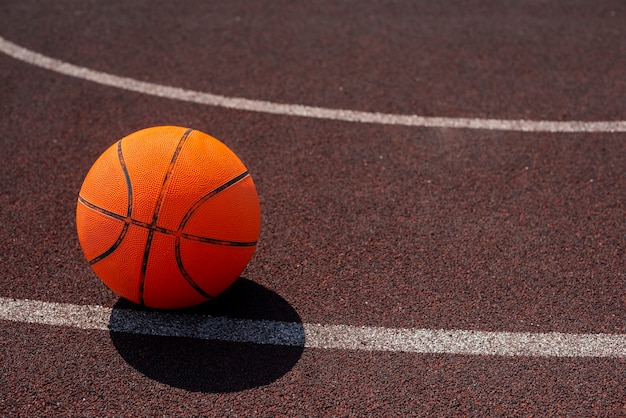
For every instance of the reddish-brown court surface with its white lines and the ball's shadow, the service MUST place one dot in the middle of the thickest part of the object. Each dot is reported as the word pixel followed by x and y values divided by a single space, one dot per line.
pixel 443 197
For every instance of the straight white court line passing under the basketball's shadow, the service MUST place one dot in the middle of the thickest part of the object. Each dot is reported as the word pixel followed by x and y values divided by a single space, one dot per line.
pixel 341 337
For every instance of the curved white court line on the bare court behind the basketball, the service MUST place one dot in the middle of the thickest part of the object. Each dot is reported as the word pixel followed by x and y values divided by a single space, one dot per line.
pixel 125 83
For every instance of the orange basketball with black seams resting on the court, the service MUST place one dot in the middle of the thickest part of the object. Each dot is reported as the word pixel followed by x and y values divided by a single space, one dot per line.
pixel 168 217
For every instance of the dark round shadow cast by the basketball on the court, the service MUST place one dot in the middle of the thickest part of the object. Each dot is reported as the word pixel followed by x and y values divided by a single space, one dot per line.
pixel 202 365
